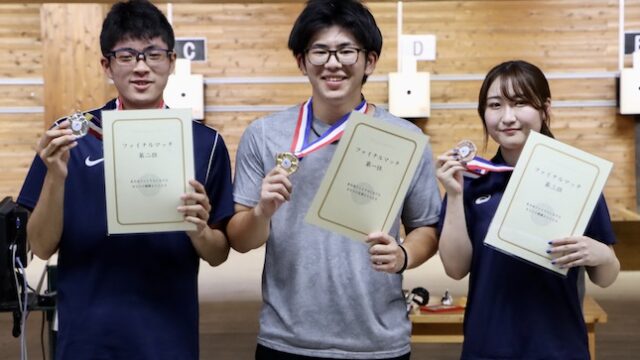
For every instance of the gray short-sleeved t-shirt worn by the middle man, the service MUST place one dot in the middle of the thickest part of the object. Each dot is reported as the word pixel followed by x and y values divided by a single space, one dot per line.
pixel 321 297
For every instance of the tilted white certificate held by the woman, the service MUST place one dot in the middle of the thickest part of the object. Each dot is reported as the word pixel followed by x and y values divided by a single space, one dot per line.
pixel 551 194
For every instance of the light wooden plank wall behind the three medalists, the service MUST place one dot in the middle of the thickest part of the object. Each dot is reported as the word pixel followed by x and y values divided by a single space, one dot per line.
pixel 249 40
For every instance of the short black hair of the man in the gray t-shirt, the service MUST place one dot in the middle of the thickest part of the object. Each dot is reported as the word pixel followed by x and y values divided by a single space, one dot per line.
pixel 351 15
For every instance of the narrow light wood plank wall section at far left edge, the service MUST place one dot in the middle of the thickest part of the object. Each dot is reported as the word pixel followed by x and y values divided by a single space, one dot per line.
pixel 20 58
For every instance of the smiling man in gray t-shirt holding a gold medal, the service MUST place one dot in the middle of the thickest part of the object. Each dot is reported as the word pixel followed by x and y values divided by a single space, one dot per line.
pixel 327 296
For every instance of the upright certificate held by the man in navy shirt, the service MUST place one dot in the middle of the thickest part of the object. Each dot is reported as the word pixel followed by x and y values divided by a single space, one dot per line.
pixel 148 162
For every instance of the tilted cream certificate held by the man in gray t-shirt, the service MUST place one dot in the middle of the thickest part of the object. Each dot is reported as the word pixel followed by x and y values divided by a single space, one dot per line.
pixel 367 179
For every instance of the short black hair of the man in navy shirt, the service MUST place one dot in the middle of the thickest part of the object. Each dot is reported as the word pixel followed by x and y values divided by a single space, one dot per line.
pixel 135 20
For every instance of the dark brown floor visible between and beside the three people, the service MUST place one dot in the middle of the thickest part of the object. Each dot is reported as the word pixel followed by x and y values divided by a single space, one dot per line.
pixel 228 332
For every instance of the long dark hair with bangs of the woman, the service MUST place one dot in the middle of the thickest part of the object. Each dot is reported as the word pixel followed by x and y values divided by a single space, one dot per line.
pixel 529 85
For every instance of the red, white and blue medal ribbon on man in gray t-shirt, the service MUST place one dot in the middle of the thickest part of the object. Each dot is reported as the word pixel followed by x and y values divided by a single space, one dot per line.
pixel 301 147
